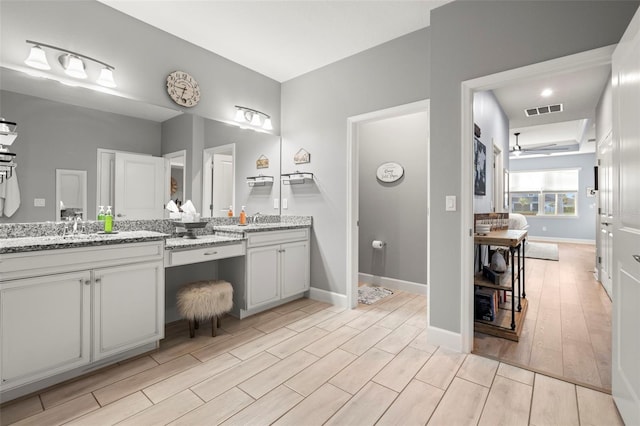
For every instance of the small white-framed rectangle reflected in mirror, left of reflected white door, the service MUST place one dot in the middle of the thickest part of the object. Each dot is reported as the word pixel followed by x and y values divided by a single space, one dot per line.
pixel 71 194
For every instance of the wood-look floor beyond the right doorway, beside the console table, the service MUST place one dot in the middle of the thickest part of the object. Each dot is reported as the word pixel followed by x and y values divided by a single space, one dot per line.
pixel 567 330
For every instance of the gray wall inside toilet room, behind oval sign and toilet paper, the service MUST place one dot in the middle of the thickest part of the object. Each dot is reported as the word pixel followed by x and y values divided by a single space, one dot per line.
pixel 395 213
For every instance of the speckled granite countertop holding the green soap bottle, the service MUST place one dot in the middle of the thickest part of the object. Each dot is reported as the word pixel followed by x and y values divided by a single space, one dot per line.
pixel 51 242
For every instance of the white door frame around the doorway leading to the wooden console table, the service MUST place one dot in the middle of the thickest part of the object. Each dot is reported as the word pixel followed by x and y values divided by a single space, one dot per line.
pixel 575 62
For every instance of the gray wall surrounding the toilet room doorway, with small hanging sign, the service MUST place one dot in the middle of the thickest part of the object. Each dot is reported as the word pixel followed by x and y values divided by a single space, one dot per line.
pixel 315 108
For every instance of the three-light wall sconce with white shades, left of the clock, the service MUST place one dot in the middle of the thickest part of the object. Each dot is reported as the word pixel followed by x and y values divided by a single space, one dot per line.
pixel 72 63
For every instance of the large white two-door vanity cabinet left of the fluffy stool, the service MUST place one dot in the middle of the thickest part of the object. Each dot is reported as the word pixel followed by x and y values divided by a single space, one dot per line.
pixel 84 307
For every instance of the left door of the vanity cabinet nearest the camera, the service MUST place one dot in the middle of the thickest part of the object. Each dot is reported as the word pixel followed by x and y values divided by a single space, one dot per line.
pixel 44 326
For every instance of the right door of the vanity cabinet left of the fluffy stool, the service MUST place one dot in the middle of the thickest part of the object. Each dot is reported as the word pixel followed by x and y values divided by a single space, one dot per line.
pixel 128 307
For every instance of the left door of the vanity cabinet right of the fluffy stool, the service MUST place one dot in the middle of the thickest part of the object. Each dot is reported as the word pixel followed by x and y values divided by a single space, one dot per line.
pixel 263 281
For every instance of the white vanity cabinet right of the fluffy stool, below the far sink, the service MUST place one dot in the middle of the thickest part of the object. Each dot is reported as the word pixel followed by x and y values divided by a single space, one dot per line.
pixel 277 266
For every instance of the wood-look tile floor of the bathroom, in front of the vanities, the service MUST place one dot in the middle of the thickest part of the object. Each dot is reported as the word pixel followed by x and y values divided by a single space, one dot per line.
pixel 309 363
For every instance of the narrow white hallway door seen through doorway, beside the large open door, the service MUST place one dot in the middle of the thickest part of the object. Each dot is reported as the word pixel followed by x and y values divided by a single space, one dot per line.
pixel 605 194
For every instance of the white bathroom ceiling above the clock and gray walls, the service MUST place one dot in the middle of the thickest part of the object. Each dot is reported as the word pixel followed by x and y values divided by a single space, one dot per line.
pixel 282 39
